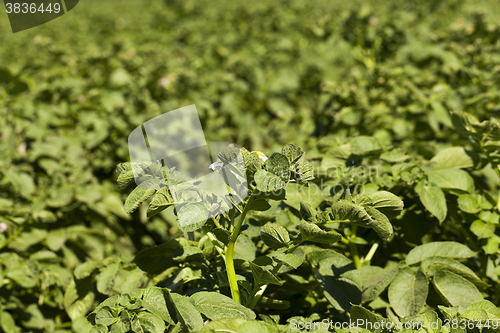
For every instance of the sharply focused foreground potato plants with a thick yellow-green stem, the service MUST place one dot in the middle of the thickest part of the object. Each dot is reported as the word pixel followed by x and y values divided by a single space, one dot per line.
pixel 264 256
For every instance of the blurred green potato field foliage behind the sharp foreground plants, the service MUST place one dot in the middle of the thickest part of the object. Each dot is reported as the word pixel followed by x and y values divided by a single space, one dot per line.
pixel 261 73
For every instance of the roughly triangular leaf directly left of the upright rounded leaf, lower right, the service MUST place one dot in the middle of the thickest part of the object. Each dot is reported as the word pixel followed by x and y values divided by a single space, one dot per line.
pixel 374 280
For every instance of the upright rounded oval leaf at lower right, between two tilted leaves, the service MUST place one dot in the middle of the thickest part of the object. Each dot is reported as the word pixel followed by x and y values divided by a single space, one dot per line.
pixel 408 292
